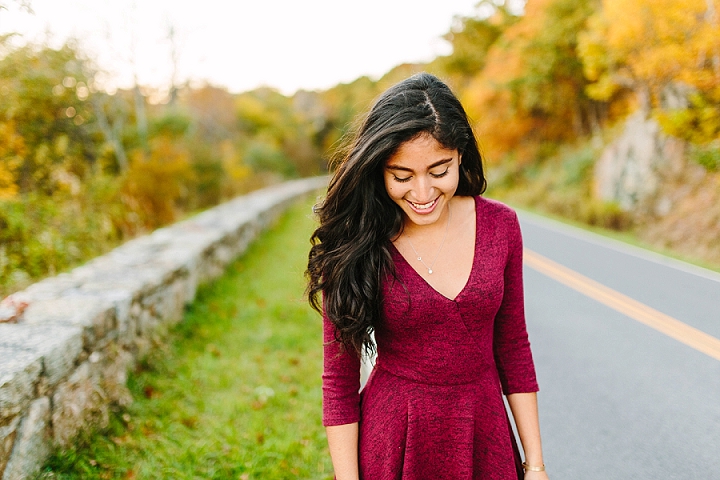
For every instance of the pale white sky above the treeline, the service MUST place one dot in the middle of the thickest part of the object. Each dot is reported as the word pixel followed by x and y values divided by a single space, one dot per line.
pixel 241 44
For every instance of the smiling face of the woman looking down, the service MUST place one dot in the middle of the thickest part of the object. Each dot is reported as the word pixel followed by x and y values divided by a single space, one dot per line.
pixel 421 177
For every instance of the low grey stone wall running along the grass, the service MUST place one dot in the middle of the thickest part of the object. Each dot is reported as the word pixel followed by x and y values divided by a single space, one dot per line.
pixel 65 357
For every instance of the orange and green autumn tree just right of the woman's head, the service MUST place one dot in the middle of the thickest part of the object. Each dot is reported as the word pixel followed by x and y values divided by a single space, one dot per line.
pixel 531 91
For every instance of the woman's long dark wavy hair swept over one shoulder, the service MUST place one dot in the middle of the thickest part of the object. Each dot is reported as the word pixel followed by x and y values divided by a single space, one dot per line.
pixel 350 254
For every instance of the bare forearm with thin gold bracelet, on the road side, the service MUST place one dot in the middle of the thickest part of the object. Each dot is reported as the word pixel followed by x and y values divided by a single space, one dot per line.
pixel 525 412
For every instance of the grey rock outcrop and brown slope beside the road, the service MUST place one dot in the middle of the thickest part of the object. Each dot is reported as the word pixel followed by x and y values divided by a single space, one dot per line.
pixel 673 201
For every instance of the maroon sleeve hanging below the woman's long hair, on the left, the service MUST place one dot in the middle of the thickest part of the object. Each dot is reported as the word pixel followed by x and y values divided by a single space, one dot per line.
pixel 340 380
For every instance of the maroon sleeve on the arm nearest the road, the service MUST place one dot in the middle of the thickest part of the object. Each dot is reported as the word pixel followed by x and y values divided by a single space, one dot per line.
pixel 511 346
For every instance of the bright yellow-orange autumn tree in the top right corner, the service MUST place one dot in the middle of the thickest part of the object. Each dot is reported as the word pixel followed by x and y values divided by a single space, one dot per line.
pixel 667 53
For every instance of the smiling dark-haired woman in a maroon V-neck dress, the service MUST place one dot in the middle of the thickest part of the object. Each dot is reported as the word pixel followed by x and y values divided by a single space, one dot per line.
pixel 408 250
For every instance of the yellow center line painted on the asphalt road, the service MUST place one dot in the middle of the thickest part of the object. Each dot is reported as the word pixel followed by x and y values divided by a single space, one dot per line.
pixel 671 327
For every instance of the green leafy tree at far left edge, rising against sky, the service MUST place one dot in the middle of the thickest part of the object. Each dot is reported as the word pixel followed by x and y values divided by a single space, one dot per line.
pixel 45 96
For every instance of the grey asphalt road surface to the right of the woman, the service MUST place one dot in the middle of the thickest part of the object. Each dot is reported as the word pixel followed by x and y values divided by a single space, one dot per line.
pixel 618 398
